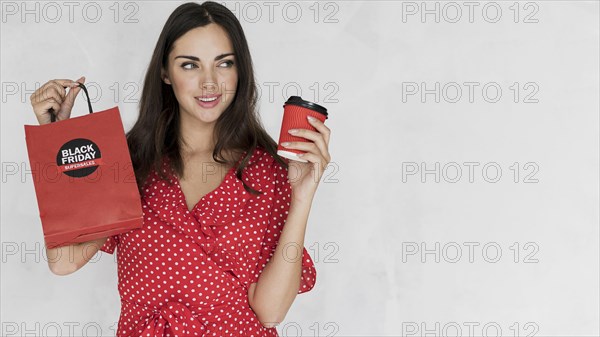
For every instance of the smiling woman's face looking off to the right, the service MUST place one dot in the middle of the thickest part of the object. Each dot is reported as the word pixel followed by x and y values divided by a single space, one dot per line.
pixel 202 73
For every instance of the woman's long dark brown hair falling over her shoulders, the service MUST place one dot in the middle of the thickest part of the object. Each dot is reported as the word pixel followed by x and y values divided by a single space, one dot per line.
pixel 156 133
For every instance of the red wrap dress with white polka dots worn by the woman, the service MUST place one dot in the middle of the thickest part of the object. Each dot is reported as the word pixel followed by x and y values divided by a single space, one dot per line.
pixel 187 273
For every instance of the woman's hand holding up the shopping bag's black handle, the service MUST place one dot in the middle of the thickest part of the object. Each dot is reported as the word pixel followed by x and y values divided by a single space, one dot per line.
pixel 52 98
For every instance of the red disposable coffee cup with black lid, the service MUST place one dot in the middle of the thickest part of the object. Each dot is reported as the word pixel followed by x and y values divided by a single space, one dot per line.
pixel 295 112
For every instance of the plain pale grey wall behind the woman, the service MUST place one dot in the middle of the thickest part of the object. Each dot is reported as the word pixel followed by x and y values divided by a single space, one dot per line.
pixel 365 217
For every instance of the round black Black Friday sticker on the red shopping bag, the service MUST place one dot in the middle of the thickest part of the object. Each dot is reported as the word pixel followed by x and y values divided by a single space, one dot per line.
pixel 78 158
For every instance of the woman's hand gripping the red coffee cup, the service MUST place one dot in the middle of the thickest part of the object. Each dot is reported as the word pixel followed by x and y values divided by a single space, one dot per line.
pixel 305 177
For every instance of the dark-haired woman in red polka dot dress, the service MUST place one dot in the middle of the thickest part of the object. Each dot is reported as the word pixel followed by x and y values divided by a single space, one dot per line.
pixel 213 257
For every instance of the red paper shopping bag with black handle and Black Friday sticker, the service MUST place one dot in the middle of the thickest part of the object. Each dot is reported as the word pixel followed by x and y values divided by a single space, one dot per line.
pixel 83 177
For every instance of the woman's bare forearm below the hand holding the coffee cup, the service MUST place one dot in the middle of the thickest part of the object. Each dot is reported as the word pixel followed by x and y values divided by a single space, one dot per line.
pixel 279 282
